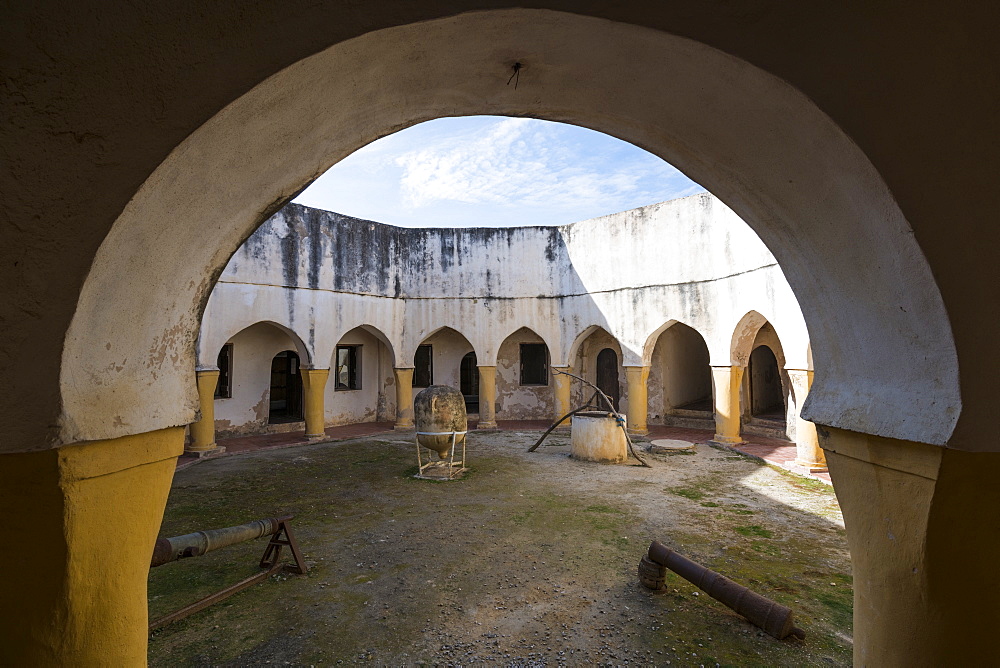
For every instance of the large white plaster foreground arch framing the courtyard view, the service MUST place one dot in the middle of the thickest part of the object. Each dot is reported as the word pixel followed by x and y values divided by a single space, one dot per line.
pixel 763 147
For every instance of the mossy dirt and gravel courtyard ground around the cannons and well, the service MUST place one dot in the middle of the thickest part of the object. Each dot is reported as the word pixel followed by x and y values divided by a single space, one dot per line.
pixel 529 561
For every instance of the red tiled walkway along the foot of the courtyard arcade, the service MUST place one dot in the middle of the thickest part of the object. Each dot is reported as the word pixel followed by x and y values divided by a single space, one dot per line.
pixel 772 450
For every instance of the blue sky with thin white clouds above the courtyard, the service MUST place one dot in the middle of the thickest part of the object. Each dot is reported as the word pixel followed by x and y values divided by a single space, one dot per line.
pixel 491 171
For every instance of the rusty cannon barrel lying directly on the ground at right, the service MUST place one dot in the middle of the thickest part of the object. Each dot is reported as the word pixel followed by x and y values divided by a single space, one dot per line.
pixel 773 618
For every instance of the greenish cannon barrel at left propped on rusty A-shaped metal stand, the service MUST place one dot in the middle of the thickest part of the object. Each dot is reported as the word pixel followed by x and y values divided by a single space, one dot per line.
pixel 167 550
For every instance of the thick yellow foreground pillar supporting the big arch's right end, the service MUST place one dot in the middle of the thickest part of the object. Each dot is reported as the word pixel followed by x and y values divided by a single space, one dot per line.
pixel 923 528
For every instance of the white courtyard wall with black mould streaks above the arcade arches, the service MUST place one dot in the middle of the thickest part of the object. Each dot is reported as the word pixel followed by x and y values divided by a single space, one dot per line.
pixel 322 274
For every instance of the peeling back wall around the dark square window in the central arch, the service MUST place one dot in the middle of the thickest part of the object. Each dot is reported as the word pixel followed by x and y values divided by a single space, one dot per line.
pixel 514 400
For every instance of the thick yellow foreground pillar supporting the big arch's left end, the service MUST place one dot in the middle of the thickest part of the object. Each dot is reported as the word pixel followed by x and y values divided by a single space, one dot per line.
pixel 84 519
